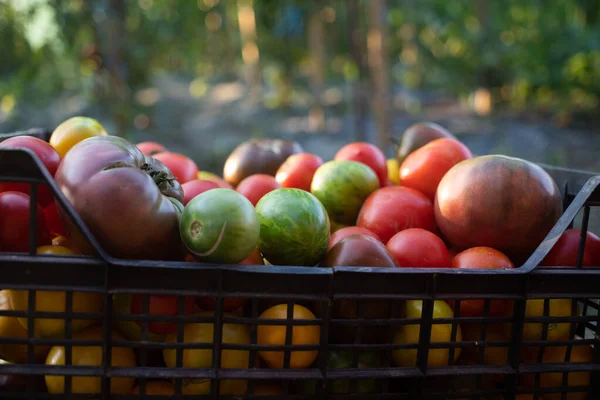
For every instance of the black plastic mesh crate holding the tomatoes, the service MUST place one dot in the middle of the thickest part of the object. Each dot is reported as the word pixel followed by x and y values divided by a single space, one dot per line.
pixel 358 314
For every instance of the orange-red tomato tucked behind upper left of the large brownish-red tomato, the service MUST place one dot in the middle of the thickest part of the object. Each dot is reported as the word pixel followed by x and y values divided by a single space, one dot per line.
pixel 425 167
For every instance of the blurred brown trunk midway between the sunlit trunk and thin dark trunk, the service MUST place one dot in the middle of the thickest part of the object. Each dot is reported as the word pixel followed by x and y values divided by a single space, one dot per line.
pixel 316 47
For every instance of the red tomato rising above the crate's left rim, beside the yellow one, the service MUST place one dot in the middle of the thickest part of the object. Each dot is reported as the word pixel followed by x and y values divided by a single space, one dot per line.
pixel 47 155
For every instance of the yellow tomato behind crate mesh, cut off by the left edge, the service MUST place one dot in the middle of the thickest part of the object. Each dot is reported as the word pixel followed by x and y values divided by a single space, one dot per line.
pixel 11 328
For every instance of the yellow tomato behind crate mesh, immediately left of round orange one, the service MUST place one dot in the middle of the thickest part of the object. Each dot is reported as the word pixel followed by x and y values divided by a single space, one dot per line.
pixel 202 358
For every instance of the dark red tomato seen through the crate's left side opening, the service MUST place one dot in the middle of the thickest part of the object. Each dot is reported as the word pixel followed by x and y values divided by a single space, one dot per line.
pixel 14 223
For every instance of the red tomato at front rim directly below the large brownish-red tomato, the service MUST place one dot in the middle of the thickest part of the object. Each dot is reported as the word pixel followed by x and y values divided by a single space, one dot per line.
pixel 481 257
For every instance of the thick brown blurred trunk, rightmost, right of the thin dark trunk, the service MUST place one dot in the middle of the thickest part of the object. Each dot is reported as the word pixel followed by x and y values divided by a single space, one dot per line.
pixel 379 63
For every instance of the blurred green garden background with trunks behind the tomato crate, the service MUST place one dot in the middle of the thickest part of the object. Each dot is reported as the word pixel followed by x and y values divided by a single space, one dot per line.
pixel 517 77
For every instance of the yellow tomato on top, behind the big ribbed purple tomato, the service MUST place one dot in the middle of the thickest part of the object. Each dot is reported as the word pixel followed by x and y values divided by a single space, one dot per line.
pixel 73 131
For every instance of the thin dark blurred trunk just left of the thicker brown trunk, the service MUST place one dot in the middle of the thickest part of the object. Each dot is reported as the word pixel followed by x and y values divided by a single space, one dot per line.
pixel 357 52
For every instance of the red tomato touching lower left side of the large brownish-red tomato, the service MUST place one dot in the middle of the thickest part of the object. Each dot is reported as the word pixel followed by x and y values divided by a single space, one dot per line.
pixel 392 209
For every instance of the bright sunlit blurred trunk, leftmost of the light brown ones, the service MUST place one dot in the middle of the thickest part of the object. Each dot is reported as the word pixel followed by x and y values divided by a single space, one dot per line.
pixel 250 53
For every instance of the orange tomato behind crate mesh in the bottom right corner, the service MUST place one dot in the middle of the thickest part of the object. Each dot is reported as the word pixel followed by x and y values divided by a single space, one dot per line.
pixel 556 355
